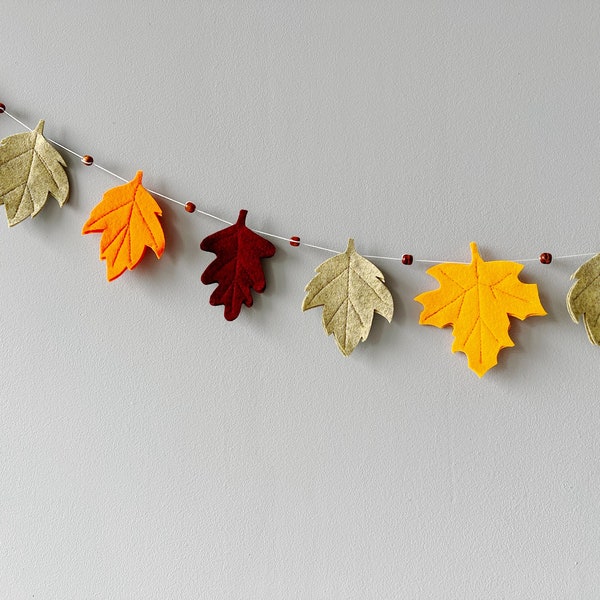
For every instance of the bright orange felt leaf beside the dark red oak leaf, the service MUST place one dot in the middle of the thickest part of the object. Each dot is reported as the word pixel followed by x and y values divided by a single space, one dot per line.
pixel 127 217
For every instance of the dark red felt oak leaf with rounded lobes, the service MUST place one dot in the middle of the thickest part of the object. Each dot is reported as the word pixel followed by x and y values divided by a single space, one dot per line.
pixel 237 268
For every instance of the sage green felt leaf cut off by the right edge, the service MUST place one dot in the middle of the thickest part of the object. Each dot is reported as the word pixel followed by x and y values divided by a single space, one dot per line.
pixel 583 298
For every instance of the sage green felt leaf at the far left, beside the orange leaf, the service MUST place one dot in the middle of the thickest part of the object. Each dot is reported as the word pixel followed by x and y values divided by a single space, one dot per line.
pixel 30 169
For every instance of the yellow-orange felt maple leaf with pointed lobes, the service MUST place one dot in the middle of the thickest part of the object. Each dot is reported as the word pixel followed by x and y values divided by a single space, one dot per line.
pixel 476 300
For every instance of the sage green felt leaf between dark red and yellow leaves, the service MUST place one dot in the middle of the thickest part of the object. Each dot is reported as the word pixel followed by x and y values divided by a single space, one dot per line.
pixel 351 289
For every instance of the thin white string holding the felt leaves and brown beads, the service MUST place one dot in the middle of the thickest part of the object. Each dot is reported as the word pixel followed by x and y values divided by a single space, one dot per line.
pixel 274 235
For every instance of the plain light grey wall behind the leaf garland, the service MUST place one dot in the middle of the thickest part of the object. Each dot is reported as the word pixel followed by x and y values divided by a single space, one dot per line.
pixel 150 449
